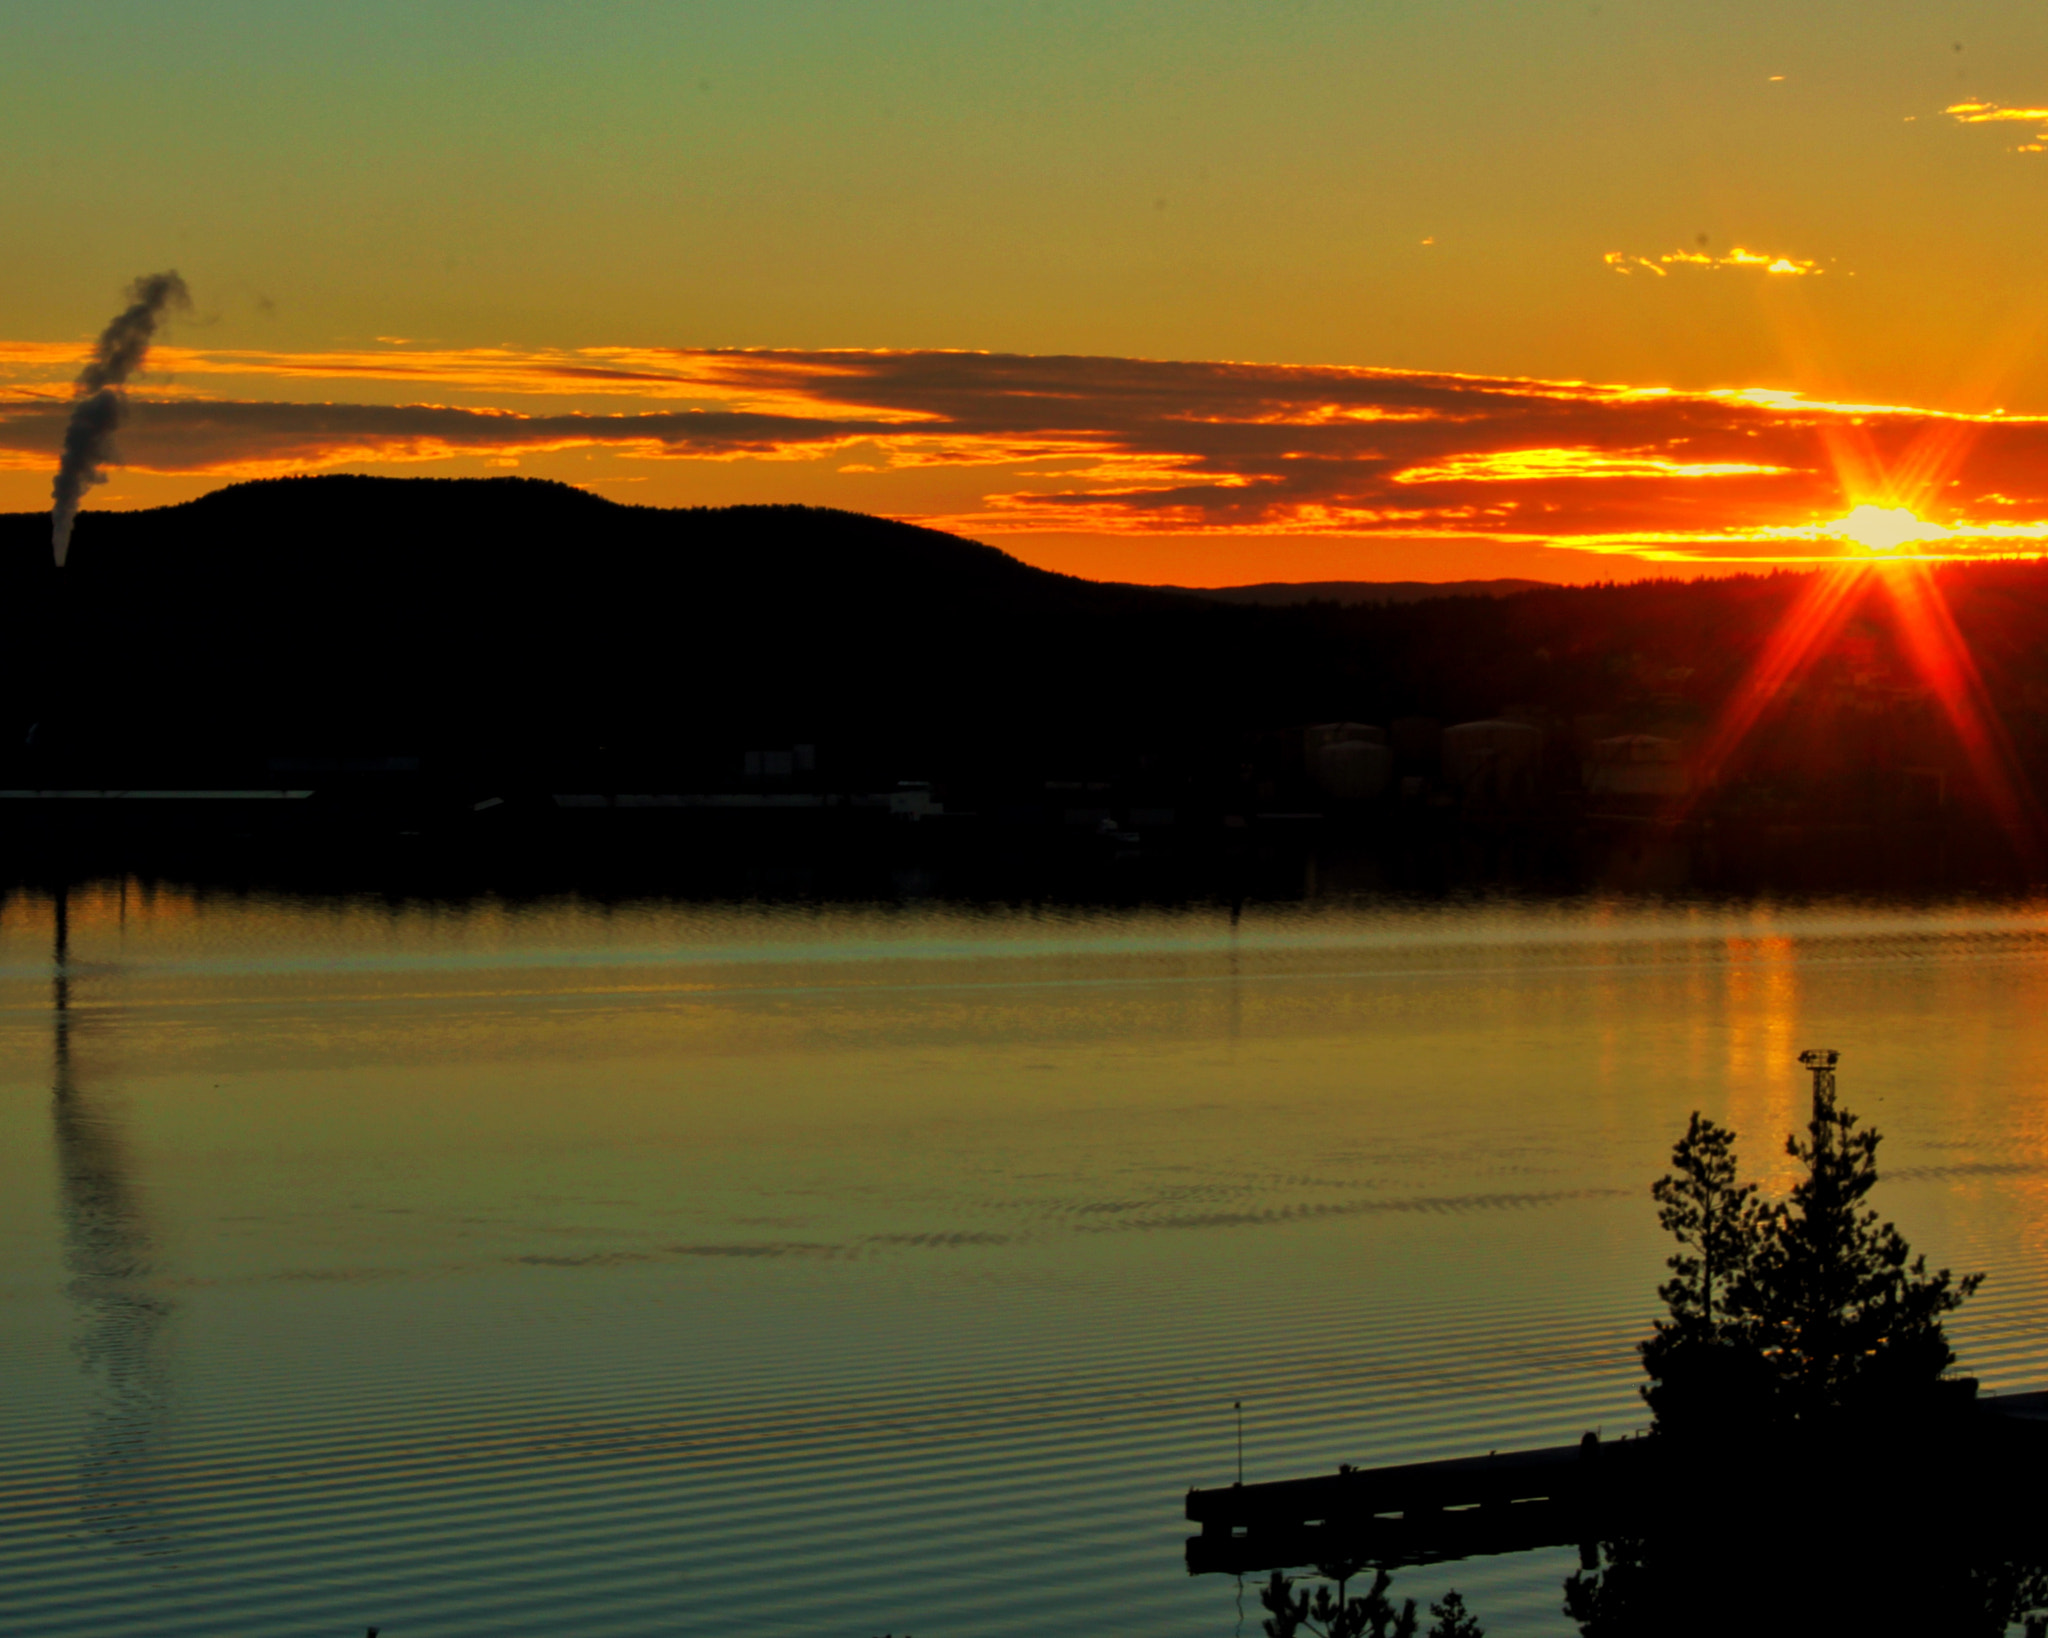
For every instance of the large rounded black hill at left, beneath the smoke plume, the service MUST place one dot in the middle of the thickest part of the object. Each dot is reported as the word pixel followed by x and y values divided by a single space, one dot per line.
pixel 513 619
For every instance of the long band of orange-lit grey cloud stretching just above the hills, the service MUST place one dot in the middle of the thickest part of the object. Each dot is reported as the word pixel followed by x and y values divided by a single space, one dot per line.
pixel 1127 447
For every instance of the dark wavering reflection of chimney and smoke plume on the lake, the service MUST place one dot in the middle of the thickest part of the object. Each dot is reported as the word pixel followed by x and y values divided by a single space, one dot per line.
pixel 122 1320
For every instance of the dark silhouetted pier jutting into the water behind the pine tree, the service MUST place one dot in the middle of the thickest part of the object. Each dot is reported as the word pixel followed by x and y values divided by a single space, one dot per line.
pixel 1504 1502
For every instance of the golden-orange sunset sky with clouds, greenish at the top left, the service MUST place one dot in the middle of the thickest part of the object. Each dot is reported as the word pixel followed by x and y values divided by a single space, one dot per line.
pixel 1568 292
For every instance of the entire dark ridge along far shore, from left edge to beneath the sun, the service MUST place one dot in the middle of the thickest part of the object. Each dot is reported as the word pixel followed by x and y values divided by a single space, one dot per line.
pixel 523 630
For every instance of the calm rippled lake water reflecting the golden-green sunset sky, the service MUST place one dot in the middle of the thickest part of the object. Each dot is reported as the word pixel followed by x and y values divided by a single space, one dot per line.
pixel 890 1268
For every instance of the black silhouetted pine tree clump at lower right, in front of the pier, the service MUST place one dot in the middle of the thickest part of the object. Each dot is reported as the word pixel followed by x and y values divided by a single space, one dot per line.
pixel 1777 1506
